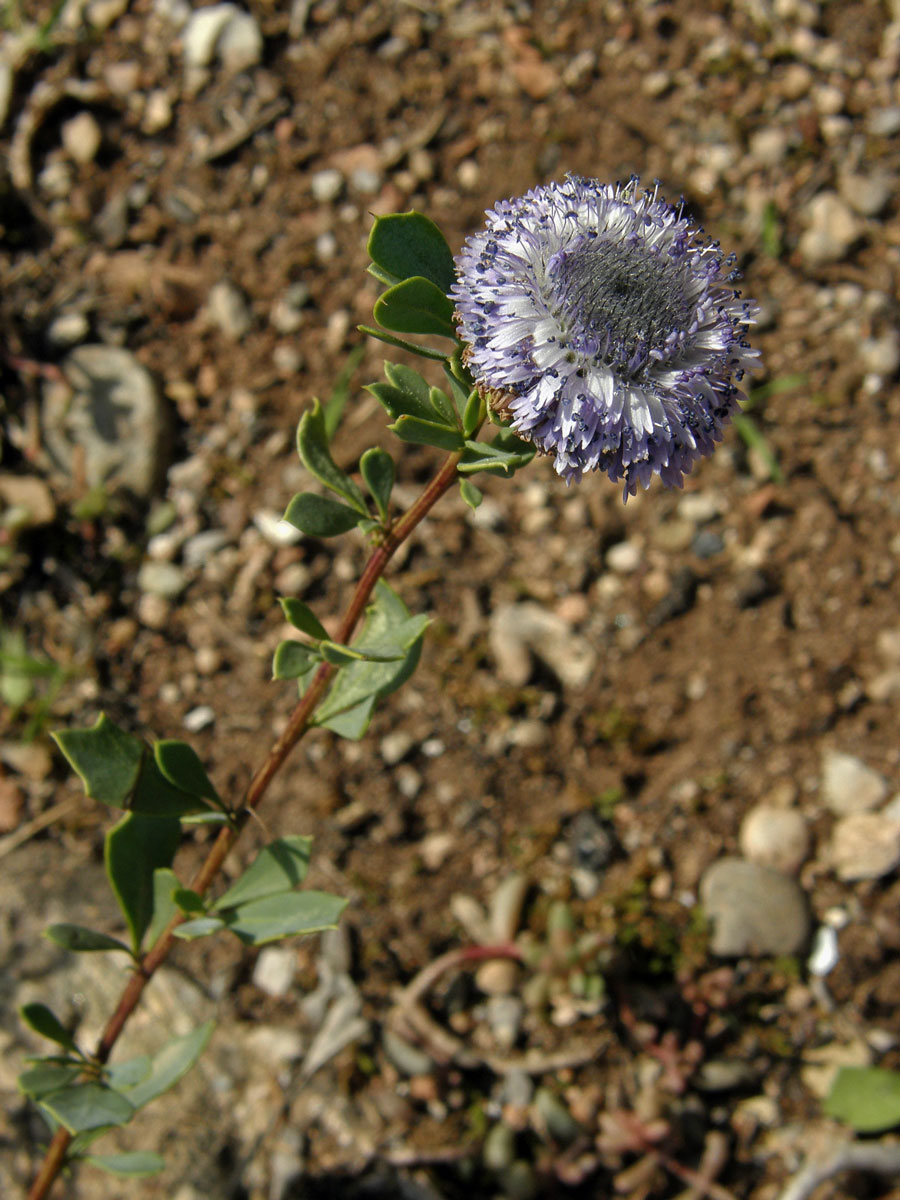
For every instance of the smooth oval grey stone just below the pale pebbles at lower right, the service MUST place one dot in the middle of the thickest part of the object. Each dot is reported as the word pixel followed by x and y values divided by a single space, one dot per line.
pixel 754 910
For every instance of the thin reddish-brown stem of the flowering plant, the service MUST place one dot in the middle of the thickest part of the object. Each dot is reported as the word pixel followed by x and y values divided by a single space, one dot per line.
pixel 297 727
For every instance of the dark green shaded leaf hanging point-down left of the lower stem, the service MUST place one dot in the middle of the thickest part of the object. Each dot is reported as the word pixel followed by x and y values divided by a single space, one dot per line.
pixel 135 848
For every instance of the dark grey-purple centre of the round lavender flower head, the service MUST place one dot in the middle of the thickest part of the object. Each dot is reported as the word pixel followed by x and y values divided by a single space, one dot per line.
pixel 625 295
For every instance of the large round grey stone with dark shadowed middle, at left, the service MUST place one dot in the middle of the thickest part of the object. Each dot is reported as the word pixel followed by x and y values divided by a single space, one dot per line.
pixel 107 423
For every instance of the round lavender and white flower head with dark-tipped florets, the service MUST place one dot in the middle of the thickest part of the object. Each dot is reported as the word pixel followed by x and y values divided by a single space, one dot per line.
pixel 608 327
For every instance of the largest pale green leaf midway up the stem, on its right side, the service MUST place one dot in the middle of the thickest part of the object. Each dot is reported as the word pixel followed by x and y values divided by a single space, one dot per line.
pixel 361 685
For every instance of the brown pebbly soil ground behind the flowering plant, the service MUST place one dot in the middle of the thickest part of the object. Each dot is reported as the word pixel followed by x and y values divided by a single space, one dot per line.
pixel 611 699
